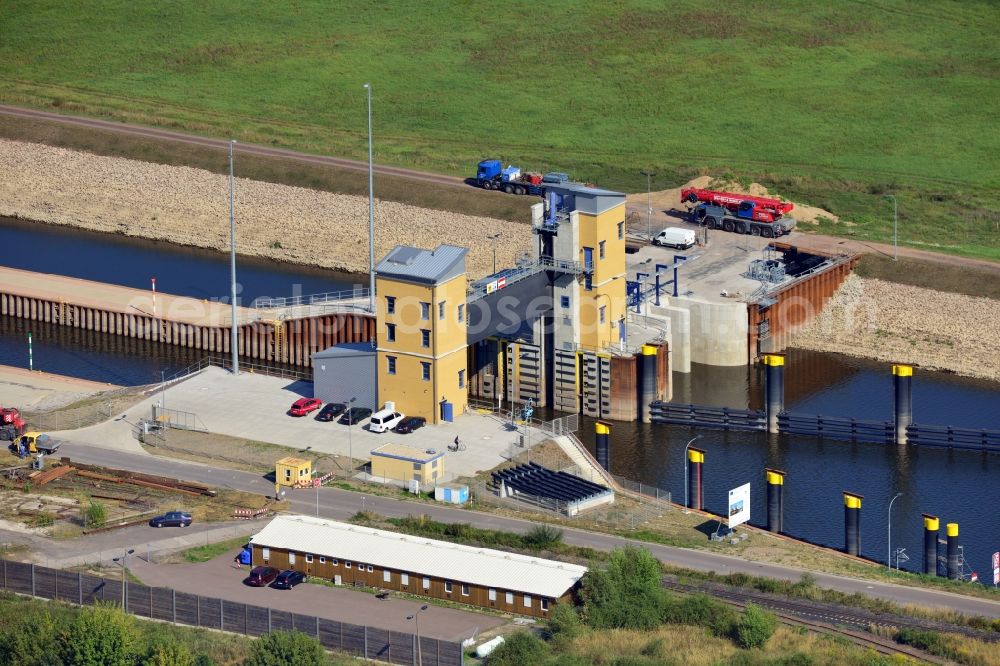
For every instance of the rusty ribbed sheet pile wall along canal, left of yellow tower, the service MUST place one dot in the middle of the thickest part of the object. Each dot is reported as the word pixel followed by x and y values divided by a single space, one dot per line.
pixel 290 341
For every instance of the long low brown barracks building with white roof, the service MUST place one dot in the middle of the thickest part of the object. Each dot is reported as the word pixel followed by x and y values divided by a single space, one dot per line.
pixel 351 554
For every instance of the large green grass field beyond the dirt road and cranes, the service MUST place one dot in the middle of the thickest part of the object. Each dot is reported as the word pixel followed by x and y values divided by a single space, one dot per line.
pixel 833 104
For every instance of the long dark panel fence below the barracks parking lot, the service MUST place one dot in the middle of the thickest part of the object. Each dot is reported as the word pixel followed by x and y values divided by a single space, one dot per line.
pixel 183 608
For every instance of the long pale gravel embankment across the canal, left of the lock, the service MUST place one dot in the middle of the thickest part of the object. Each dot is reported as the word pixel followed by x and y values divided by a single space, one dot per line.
pixel 191 207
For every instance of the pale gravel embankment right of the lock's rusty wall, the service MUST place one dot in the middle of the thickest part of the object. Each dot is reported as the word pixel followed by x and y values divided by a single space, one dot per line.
pixel 899 323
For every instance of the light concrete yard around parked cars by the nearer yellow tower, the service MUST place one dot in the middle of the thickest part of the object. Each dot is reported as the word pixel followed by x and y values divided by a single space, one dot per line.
pixel 254 406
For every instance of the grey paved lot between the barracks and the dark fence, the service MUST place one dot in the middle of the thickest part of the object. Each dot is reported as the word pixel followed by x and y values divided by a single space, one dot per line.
pixel 219 578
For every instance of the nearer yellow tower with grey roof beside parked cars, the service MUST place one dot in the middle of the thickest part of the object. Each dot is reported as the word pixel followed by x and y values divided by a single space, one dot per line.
pixel 422 318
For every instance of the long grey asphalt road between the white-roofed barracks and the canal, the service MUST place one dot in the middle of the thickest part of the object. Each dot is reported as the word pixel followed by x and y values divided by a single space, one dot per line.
pixel 341 504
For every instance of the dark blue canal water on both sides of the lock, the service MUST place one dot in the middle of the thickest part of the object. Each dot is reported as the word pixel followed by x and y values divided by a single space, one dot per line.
pixel 957 486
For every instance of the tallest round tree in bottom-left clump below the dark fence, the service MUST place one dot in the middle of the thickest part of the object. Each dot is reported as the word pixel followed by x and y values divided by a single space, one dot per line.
pixel 101 635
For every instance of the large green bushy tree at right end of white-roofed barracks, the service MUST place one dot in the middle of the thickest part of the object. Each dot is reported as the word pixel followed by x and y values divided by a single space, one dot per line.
pixel 626 593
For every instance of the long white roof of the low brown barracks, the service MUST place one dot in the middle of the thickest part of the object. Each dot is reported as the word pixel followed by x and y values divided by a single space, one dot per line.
pixel 419 555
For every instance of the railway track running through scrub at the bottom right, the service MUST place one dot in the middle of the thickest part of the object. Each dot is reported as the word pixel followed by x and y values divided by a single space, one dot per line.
pixel 831 619
